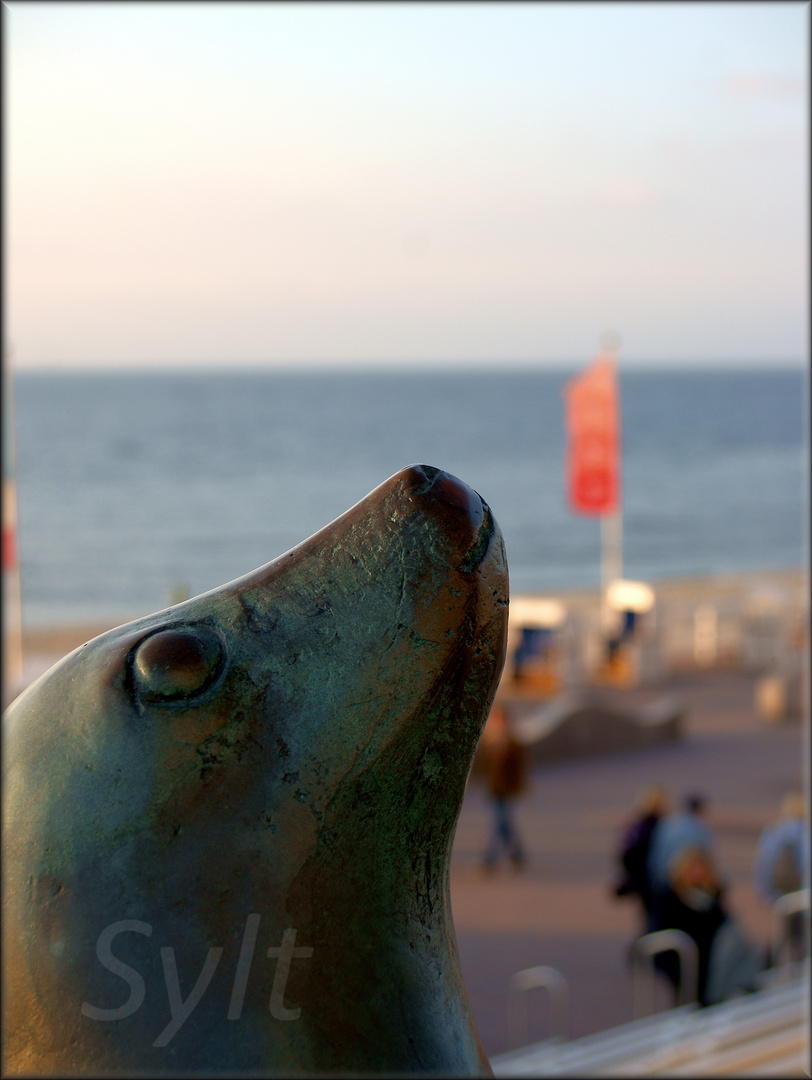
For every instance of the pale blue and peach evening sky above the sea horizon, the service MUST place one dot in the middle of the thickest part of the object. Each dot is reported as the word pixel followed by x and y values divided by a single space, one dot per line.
pixel 251 184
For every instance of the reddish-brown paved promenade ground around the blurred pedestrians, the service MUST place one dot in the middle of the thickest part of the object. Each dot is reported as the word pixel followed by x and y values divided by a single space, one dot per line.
pixel 560 911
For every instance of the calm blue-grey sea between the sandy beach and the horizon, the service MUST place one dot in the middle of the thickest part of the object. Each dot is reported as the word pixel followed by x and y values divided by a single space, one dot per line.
pixel 136 488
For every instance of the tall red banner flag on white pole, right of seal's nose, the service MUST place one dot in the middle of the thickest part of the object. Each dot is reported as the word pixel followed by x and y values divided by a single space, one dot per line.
pixel 593 444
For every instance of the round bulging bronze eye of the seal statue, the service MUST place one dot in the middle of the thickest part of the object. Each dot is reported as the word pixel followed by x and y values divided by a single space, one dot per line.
pixel 181 664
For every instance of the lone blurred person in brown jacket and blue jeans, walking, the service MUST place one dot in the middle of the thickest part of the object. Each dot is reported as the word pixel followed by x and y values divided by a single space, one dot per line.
pixel 506 771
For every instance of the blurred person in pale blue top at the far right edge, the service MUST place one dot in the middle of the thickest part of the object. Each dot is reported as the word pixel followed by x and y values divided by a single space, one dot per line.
pixel 782 867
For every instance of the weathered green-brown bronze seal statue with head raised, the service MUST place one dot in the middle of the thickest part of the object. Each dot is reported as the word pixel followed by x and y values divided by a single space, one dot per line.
pixel 228 826
